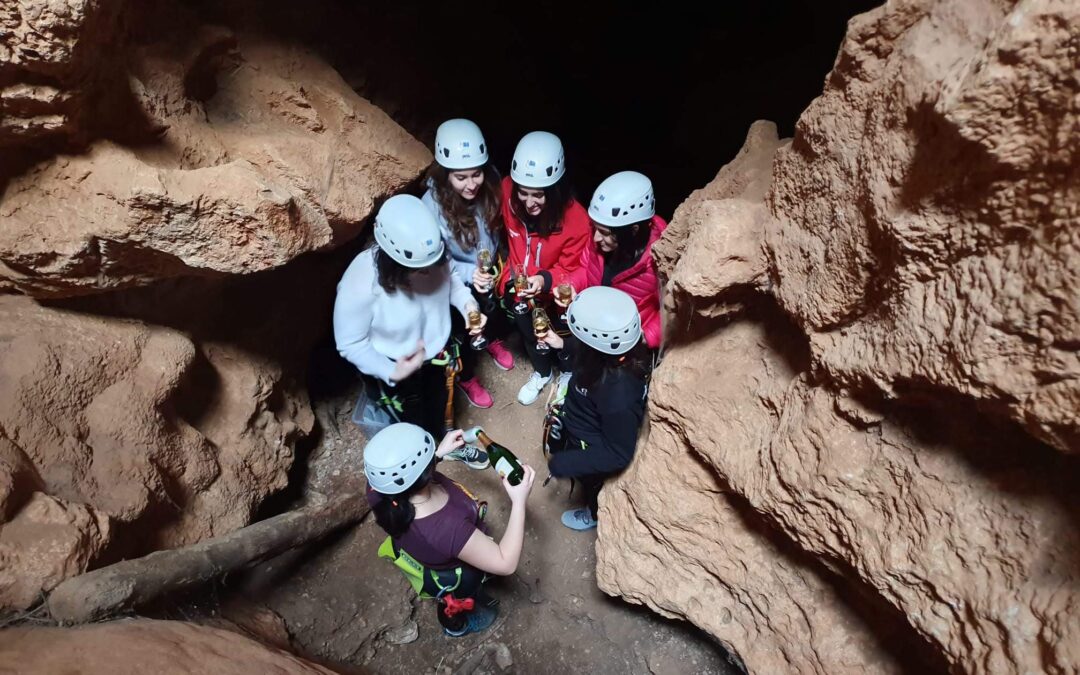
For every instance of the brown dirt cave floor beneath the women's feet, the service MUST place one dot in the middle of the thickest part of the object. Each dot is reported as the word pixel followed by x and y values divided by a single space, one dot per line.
pixel 349 610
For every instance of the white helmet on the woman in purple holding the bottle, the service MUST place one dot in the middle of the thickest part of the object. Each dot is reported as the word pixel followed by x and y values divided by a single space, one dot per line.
pixel 397 456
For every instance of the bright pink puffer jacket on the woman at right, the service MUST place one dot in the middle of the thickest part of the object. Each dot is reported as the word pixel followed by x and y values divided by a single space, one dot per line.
pixel 640 282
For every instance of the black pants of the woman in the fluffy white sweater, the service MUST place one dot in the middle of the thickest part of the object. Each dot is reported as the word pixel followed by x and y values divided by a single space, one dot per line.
pixel 420 399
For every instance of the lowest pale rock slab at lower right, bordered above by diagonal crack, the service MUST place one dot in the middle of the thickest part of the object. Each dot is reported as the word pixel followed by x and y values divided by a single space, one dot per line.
pixel 679 523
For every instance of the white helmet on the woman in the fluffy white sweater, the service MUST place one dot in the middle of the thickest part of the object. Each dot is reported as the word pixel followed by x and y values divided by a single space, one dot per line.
pixel 408 232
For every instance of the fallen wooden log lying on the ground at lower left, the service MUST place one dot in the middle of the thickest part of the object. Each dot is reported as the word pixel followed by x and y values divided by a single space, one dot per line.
pixel 132 584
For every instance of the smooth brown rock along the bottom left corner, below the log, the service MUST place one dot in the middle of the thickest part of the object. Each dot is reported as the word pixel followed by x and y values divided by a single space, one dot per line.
pixel 142 646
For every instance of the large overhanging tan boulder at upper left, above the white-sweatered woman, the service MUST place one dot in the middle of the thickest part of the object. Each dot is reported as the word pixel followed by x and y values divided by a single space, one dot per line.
pixel 262 154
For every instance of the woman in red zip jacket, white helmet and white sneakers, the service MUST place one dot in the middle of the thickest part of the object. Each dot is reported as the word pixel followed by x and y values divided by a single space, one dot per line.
pixel 547 231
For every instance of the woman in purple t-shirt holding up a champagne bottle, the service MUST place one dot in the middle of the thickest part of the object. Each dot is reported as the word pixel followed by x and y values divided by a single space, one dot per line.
pixel 437 522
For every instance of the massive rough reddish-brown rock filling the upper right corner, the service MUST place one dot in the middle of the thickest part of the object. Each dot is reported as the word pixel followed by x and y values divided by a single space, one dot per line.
pixel 930 242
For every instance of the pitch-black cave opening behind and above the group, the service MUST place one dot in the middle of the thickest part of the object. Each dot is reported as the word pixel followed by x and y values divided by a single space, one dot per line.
pixel 666 90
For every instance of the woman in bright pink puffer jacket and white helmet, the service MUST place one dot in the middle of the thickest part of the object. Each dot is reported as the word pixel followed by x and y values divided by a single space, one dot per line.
pixel 625 228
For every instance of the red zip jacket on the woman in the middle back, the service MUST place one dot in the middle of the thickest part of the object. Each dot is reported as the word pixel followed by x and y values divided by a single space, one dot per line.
pixel 559 255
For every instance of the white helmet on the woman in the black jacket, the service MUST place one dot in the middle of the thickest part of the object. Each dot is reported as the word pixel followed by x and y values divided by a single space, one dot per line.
pixel 605 319
